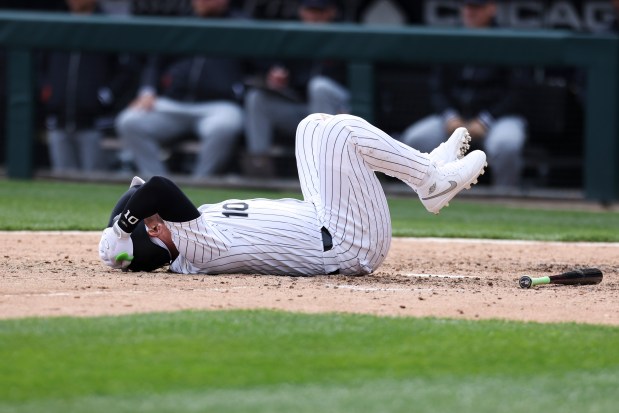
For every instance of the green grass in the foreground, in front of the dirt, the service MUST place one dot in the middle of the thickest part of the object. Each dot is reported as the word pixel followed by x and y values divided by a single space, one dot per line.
pixel 264 361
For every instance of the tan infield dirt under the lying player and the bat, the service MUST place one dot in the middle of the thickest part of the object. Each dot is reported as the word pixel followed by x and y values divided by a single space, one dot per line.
pixel 59 274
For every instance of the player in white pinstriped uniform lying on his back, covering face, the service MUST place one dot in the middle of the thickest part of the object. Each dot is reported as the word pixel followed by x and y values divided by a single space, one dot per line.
pixel 342 225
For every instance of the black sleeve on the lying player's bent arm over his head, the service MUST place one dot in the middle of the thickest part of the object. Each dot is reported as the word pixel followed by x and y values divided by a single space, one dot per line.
pixel 157 196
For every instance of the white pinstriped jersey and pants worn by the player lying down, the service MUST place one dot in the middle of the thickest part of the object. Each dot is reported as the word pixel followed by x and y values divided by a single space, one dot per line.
pixel 336 160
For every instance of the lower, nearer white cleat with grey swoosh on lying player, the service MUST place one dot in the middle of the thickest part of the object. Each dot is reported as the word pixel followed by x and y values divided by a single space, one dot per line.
pixel 446 181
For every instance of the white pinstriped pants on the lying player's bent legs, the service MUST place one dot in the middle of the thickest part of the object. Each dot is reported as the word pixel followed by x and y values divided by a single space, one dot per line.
pixel 336 159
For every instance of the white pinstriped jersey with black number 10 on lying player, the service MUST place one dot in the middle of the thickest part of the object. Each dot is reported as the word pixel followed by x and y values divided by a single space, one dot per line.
pixel 258 236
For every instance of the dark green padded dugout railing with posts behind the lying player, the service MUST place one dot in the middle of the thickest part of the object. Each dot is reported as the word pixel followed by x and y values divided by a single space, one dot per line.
pixel 361 46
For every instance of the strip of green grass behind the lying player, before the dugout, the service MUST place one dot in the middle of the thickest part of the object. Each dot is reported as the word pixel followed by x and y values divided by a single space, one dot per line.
pixel 37 205
